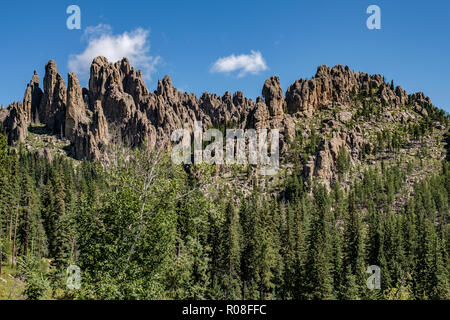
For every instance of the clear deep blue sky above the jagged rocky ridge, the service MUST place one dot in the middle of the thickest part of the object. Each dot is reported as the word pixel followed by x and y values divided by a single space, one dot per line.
pixel 184 39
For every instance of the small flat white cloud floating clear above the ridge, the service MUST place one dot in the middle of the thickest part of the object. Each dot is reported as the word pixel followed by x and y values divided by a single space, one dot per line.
pixel 252 63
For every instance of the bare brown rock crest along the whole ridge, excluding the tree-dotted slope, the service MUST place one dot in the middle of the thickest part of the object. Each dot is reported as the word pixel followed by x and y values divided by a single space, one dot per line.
pixel 117 106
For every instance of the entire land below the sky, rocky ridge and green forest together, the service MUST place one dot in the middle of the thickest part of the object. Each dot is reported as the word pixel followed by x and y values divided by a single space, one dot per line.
pixel 86 180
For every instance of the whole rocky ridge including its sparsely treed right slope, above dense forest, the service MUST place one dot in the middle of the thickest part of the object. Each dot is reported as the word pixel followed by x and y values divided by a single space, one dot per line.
pixel 318 118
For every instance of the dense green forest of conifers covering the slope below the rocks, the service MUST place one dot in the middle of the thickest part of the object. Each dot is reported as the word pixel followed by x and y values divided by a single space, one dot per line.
pixel 143 228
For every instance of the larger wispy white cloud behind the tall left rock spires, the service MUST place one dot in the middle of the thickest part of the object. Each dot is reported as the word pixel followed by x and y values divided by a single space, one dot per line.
pixel 102 42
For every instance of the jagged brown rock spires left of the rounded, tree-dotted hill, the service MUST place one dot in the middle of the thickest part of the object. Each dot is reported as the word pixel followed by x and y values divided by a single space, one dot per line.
pixel 117 105
